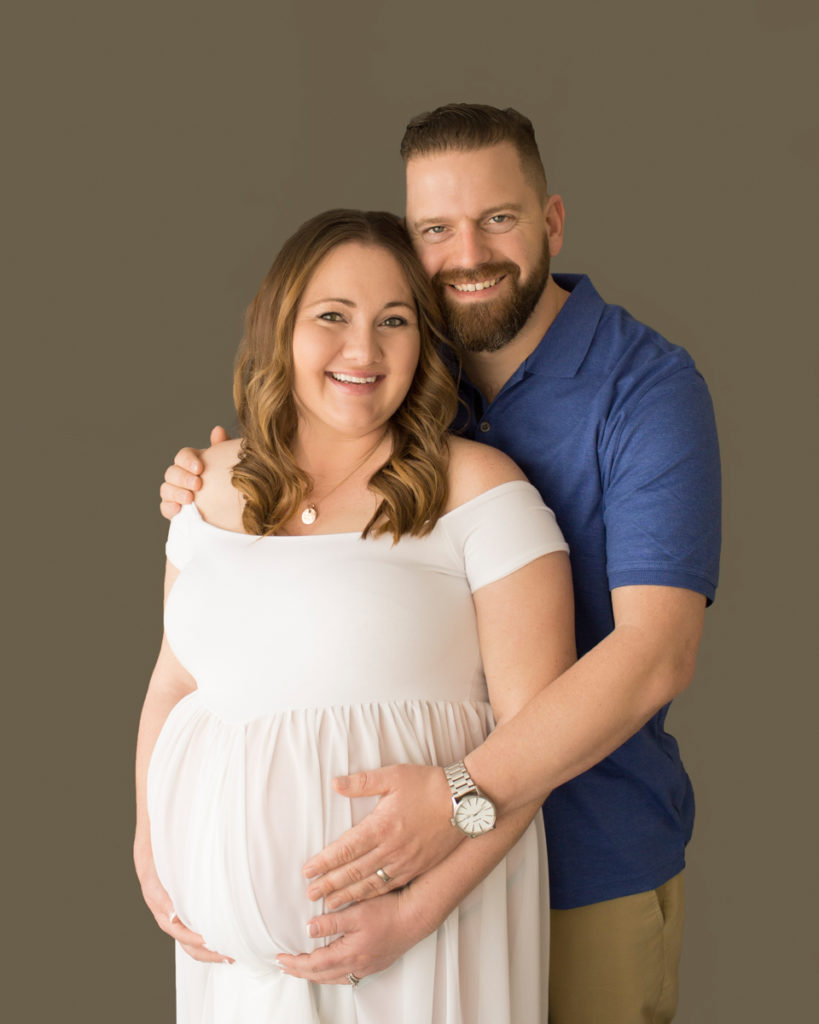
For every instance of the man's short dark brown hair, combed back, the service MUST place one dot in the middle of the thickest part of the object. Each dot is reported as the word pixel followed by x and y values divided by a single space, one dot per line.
pixel 475 126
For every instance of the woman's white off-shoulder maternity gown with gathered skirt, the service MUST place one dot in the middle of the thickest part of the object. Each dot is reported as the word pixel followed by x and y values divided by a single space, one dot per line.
pixel 317 657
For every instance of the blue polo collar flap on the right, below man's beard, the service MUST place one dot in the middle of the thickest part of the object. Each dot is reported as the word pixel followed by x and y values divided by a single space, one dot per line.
pixel 566 345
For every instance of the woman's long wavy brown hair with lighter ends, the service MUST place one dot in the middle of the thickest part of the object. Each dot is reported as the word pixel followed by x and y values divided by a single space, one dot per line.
pixel 412 484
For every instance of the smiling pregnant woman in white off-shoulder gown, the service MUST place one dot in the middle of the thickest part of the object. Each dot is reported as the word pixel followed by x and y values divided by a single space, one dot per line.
pixel 354 587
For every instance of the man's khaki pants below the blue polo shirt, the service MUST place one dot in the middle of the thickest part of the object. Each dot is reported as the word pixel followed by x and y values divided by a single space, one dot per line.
pixel 617 962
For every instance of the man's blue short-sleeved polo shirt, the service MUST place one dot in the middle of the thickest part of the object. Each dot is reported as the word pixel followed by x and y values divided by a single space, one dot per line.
pixel 616 428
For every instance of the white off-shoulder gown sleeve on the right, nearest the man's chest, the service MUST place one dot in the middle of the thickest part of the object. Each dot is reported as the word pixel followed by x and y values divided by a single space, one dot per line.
pixel 502 531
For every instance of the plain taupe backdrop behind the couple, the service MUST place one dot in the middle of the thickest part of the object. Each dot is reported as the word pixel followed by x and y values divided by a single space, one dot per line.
pixel 156 156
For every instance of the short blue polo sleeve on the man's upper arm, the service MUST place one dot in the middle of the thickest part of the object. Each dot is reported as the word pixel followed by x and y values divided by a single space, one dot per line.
pixel 662 499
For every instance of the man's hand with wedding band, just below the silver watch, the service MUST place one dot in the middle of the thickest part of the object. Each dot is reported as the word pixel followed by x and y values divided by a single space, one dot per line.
pixel 409 832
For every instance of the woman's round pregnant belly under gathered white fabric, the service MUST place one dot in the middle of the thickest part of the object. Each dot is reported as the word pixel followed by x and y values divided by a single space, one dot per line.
pixel 237 808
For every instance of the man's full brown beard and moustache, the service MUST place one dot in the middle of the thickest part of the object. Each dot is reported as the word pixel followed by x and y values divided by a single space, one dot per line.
pixel 489 326
